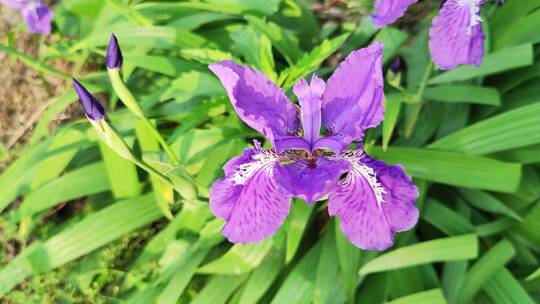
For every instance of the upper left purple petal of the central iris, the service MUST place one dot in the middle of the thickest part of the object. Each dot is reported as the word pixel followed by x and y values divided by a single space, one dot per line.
pixel 257 100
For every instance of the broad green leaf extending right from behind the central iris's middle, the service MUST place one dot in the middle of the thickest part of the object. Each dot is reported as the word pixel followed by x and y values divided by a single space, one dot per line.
pixel 454 168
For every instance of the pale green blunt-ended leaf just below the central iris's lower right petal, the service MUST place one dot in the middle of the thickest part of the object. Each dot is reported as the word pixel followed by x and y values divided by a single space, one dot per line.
pixel 447 249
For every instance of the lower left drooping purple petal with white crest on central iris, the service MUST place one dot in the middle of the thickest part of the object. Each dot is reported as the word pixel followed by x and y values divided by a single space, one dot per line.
pixel 249 198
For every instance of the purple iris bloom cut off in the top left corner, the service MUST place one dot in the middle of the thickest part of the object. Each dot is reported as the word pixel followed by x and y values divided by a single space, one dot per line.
pixel 36 14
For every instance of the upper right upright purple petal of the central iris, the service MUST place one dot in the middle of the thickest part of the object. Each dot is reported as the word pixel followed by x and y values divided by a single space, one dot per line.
pixel 353 98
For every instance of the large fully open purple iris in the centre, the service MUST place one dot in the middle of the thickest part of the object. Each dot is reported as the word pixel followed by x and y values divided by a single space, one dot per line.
pixel 372 199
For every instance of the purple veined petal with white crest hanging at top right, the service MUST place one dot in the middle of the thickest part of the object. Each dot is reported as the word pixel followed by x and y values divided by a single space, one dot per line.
pixel 456 36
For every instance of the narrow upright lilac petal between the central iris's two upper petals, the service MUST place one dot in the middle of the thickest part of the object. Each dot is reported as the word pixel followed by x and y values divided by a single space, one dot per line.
pixel 310 99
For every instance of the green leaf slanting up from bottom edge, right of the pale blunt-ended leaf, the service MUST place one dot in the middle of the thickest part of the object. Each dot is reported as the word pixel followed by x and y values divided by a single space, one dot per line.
pixel 484 269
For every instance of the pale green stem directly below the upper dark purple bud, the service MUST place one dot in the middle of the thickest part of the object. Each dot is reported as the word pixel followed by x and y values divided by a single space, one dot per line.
pixel 131 103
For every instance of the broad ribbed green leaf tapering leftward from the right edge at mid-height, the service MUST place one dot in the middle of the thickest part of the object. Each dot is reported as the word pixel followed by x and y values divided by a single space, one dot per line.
pixel 509 130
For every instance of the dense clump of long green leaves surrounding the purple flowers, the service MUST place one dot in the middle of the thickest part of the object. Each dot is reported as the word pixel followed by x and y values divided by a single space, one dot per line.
pixel 81 224
